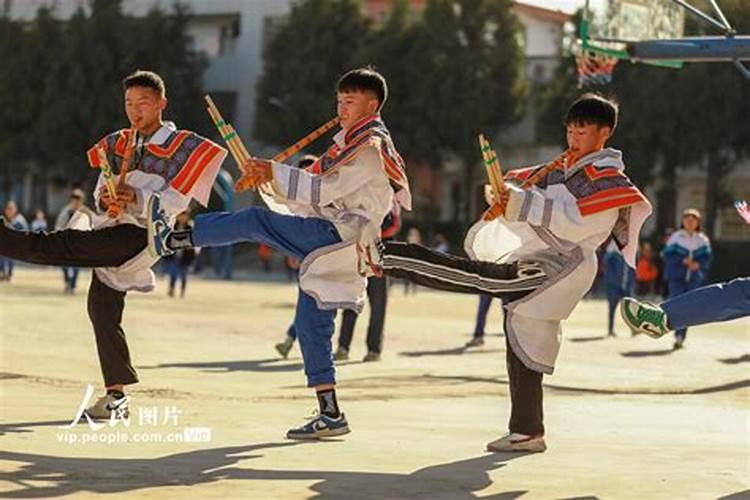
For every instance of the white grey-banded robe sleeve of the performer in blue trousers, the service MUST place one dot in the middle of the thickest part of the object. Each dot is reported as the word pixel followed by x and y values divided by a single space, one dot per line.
pixel 303 187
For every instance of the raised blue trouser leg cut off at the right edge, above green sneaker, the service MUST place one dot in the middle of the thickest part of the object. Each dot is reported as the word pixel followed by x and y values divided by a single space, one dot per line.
pixel 719 302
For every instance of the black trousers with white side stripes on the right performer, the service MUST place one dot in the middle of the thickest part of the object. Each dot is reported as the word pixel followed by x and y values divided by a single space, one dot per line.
pixel 437 270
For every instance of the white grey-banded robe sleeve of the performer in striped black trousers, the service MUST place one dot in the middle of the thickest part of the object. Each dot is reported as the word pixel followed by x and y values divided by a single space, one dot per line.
pixel 557 211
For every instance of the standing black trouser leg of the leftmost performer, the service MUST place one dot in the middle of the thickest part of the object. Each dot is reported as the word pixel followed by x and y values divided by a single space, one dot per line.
pixel 105 307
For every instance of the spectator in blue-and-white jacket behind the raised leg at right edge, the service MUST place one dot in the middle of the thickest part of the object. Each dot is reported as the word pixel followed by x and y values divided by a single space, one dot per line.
pixel 687 259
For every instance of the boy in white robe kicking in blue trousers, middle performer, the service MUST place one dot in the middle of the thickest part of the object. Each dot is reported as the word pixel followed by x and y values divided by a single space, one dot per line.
pixel 327 216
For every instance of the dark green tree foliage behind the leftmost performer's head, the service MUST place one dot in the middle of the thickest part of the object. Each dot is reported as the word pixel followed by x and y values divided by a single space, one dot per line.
pixel 65 92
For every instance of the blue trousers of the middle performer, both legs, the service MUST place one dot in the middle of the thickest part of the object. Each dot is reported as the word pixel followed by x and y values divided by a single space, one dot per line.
pixel 296 237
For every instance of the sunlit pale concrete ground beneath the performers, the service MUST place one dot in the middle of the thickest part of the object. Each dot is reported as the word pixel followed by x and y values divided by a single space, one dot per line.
pixel 626 417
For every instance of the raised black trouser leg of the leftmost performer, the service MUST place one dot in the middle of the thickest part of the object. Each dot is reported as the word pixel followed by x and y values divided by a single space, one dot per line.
pixel 108 247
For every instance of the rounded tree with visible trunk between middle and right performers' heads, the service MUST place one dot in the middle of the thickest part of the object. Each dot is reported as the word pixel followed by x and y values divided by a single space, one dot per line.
pixel 467 69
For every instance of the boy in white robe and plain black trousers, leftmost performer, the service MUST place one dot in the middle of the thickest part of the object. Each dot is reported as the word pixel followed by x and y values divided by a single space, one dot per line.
pixel 181 166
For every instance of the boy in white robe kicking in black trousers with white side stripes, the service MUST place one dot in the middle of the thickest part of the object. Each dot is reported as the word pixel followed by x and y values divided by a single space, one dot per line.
pixel 536 250
